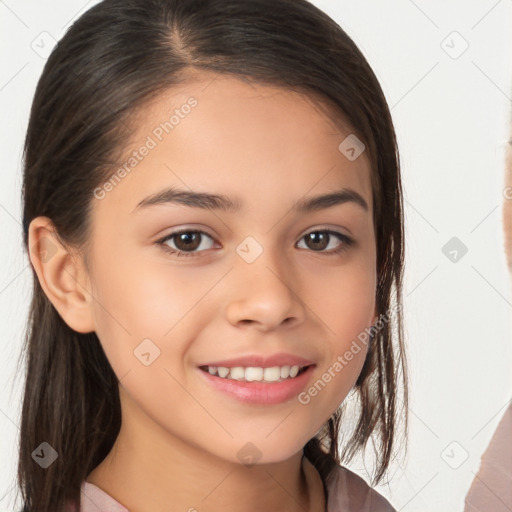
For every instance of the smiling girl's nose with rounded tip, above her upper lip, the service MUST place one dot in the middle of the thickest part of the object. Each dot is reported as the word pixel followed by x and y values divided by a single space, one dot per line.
pixel 262 294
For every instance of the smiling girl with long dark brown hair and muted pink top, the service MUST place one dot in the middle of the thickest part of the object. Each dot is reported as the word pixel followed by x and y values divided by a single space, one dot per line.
pixel 213 214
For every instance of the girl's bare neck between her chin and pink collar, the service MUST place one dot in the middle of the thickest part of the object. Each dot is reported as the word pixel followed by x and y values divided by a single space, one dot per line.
pixel 148 470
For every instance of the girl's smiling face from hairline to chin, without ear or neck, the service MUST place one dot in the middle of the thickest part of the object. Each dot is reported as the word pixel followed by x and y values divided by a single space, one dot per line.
pixel 260 278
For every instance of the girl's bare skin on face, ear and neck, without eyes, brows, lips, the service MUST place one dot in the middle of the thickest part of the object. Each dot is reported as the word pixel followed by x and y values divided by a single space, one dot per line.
pixel 180 437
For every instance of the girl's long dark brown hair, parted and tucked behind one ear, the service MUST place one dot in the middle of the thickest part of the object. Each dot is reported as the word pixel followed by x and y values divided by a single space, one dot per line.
pixel 113 60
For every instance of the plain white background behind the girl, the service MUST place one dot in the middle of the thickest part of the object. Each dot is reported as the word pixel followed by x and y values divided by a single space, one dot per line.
pixel 451 116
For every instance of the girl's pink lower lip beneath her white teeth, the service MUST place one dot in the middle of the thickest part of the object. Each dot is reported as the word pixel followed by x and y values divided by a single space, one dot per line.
pixel 261 392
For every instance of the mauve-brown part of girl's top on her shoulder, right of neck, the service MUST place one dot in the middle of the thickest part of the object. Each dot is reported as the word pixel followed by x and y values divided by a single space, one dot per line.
pixel 347 491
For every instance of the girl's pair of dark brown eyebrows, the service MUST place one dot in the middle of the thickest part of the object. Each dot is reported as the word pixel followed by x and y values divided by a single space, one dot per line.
pixel 208 201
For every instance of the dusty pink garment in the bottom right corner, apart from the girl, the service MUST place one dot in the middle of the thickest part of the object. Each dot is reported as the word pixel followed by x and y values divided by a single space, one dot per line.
pixel 491 489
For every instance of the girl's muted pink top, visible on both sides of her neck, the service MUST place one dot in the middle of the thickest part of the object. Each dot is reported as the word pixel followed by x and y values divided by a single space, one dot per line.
pixel 347 492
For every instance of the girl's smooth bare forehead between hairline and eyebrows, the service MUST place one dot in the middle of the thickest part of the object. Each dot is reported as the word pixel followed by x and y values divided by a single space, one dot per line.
pixel 218 132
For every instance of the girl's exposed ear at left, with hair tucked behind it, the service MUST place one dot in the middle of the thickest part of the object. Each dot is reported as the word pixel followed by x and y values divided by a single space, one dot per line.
pixel 61 274
